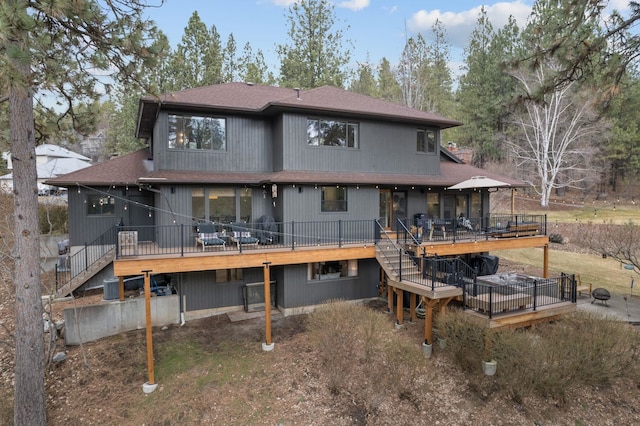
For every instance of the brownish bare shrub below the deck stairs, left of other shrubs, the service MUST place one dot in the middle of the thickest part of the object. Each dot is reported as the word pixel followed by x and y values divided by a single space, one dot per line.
pixel 364 360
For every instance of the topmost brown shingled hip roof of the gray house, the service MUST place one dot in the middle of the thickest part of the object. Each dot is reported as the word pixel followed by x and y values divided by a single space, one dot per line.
pixel 249 98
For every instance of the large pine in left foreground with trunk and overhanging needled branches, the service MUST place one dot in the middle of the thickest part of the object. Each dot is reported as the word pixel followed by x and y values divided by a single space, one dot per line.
pixel 55 47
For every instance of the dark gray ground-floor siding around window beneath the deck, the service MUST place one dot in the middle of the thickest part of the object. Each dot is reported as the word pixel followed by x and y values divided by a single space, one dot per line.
pixel 299 292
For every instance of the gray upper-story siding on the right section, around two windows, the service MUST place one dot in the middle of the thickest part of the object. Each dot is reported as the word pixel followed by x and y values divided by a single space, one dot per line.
pixel 384 148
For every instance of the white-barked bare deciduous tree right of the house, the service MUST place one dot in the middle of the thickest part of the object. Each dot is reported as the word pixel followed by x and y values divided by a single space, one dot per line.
pixel 558 131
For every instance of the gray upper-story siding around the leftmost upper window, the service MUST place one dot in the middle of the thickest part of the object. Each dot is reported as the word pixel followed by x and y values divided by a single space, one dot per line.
pixel 249 148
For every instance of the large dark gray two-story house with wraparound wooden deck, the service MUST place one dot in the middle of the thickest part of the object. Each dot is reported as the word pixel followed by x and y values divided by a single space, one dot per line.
pixel 346 184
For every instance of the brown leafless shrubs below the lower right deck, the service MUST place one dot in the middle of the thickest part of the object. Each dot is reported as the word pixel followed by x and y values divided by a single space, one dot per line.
pixel 547 360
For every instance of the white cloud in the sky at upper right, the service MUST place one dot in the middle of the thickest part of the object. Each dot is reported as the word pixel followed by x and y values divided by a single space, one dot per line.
pixel 460 25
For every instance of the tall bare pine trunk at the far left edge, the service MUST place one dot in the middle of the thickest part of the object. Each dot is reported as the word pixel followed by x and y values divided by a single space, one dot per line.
pixel 29 392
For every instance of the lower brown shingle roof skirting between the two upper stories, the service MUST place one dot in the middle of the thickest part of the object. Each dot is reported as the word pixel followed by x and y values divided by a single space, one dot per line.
pixel 135 168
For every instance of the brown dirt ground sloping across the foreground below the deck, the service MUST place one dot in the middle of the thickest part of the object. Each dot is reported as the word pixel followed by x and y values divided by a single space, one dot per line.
pixel 100 383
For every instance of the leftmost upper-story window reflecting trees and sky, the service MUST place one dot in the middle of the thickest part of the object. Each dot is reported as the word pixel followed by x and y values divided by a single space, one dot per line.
pixel 193 132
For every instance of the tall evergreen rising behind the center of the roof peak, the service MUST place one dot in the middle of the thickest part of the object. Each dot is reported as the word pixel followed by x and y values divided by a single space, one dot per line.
pixel 315 55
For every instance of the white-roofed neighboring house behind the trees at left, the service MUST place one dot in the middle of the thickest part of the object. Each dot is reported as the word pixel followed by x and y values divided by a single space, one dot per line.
pixel 51 161
